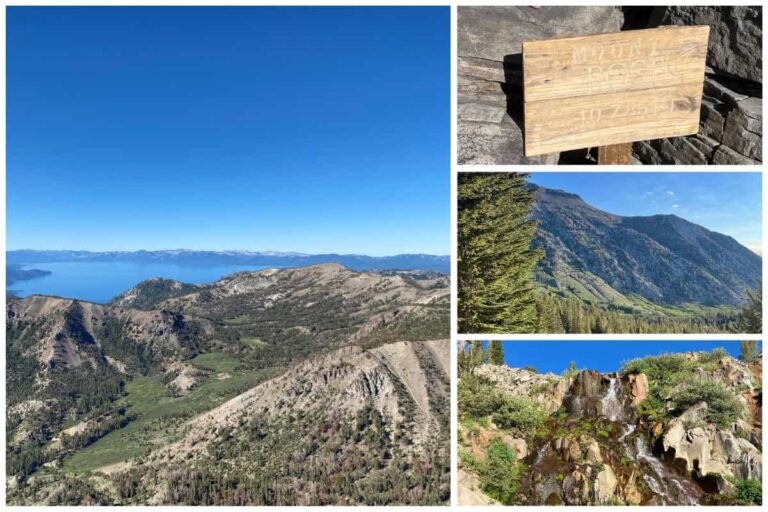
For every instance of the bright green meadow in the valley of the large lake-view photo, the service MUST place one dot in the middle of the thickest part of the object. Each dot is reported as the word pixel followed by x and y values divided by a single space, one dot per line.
pixel 160 417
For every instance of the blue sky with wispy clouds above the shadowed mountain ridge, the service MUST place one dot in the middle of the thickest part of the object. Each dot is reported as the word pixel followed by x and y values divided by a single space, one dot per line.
pixel 726 202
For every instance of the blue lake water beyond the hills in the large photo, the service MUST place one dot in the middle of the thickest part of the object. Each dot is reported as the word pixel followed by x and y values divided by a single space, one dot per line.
pixel 100 282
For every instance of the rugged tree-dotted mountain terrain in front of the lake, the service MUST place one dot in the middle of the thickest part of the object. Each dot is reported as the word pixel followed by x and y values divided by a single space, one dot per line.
pixel 93 386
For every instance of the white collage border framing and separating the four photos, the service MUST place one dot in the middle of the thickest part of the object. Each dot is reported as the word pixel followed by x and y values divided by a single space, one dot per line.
pixel 454 170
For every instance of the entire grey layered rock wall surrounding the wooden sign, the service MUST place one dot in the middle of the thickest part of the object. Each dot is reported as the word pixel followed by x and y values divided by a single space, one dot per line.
pixel 490 115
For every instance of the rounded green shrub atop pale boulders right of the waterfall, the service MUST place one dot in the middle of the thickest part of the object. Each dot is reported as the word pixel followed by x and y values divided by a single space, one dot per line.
pixel 723 408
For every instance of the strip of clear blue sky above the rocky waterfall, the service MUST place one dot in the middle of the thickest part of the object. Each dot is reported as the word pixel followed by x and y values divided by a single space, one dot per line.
pixel 604 356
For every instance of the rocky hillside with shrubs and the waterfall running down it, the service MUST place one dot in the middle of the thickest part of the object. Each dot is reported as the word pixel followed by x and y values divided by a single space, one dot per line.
pixel 676 429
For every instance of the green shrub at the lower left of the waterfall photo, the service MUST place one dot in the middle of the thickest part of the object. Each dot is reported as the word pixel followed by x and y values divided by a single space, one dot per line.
pixel 500 473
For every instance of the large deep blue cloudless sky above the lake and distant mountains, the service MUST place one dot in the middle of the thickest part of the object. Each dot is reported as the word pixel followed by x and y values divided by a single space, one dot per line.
pixel 294 129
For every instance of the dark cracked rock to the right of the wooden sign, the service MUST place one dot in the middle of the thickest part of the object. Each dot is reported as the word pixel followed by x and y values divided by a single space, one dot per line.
pixel 731 130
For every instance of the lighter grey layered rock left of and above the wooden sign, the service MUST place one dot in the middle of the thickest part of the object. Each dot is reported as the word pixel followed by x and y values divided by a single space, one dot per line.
pixel 490 72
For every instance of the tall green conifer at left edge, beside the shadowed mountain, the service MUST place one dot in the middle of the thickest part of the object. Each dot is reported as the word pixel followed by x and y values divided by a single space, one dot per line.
pixel 495 255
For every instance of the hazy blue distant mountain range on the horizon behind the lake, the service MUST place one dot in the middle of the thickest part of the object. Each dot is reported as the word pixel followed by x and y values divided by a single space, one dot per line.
pixel 266 258
